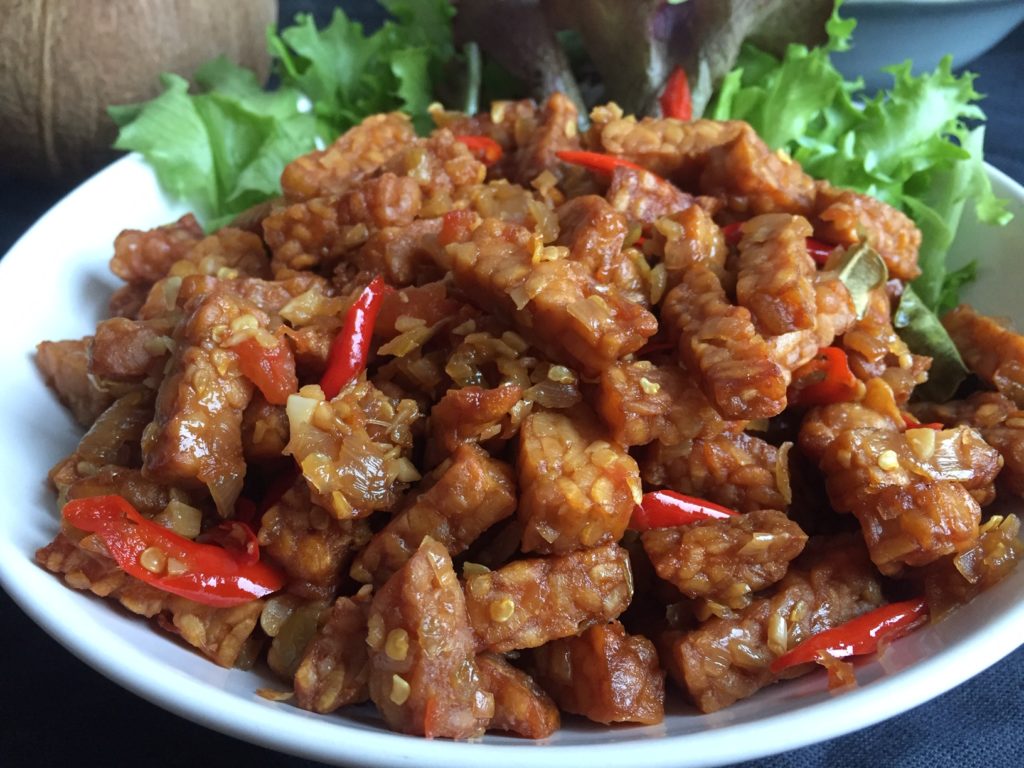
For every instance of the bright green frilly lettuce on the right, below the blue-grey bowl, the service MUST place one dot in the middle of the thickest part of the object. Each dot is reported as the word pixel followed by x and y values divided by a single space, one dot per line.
pixel 910 146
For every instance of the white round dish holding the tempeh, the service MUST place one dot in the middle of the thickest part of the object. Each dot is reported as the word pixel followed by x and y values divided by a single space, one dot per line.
pixel 55 284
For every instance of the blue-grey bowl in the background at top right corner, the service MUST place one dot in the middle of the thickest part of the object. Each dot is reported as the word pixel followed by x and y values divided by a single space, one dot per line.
pixel 924 31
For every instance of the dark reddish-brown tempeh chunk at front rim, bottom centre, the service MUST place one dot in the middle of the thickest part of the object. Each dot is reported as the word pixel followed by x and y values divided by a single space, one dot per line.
pixel 606 675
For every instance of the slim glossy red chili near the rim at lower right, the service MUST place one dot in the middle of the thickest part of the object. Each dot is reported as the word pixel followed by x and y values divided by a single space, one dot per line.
pixel 857 637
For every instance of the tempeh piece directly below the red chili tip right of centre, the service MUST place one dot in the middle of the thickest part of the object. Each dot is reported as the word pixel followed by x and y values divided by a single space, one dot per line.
pixel 726 561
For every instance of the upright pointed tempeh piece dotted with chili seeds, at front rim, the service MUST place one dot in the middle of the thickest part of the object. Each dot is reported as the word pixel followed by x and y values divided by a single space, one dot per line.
pixel 423 674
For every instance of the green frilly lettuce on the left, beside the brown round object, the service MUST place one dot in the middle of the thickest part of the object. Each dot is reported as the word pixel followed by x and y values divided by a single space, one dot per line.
pixel 224 144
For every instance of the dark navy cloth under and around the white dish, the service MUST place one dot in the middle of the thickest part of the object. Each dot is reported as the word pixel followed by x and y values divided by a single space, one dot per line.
pixel 59 712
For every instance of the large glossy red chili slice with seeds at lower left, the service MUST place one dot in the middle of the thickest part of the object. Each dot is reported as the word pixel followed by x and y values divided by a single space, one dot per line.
pixel 204 573
